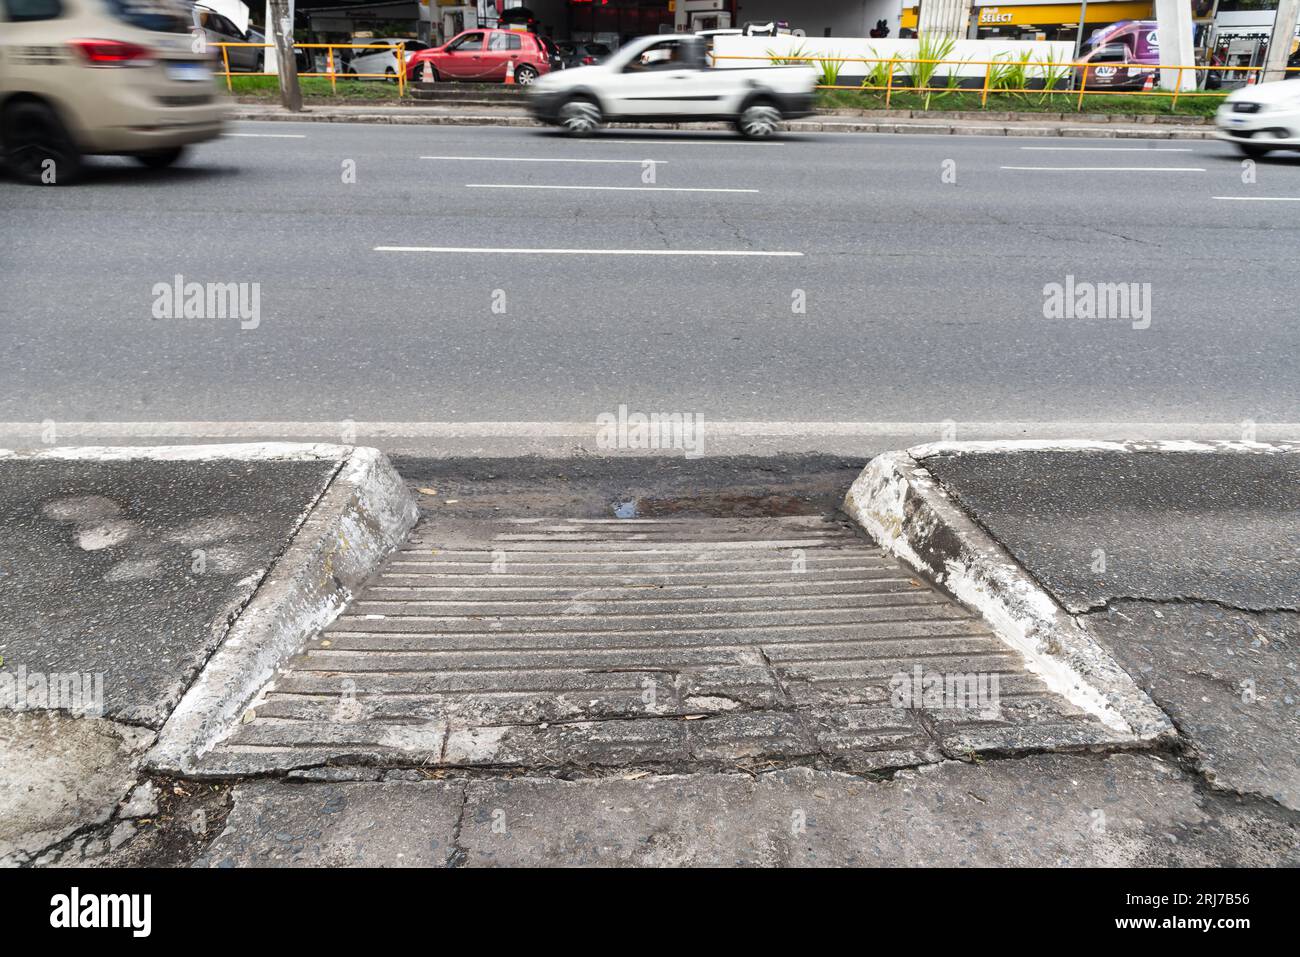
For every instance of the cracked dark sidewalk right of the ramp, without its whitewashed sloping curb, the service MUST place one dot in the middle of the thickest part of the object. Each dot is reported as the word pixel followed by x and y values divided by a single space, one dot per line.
pixel 1185 565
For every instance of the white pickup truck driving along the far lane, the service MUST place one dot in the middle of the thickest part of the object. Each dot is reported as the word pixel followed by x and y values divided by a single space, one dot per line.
pixel 669 80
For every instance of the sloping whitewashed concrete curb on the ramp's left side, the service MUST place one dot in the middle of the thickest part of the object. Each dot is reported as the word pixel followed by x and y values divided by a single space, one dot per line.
pixel 365 513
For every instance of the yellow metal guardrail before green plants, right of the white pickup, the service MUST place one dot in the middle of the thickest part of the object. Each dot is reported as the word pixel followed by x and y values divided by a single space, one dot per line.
pixel 1058 72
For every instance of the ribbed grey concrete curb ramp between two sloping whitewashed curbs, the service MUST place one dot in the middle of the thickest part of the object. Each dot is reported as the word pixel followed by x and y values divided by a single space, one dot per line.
pixel 660 642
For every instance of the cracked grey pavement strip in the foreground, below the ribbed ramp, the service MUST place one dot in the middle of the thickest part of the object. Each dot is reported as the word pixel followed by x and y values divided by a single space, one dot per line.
pixel 1042 811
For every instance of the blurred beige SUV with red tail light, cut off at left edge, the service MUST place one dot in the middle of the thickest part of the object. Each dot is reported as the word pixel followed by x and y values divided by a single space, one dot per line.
pixel 122 77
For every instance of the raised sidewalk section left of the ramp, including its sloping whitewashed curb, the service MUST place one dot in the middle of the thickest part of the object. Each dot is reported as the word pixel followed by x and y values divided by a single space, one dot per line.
pixel 124 570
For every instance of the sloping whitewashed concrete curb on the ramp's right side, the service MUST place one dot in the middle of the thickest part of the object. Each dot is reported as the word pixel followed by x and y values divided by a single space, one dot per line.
pixel 911 516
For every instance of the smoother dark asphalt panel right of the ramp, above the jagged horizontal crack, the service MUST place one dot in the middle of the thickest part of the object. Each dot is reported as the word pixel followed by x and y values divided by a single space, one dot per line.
pixel 1216 523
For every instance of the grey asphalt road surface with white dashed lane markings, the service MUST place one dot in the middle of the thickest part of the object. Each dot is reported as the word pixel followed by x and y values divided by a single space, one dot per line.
pixel 924 298
